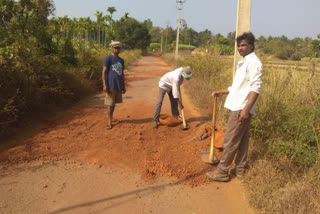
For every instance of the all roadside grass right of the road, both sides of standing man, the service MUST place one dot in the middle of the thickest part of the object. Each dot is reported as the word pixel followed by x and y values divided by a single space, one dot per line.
pixel 284 156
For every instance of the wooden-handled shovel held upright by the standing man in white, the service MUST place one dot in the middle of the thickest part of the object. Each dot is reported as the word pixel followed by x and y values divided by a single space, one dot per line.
pixel 208 156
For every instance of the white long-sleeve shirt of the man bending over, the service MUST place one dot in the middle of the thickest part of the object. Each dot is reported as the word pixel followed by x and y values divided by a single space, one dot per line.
pixel 172 81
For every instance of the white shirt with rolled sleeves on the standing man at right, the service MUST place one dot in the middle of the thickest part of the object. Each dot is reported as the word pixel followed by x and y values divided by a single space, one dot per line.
pixel 248 78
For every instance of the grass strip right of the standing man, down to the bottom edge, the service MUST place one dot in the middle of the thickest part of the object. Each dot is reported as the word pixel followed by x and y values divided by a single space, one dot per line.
pixel 284 173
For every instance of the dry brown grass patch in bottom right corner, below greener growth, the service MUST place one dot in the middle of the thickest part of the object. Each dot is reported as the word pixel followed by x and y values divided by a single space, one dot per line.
pixel 278 186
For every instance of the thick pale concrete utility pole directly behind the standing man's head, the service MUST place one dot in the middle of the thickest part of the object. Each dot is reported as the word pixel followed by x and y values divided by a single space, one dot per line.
pixel 243 25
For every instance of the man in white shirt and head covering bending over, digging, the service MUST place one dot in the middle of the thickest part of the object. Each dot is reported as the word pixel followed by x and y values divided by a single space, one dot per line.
pixel 170 83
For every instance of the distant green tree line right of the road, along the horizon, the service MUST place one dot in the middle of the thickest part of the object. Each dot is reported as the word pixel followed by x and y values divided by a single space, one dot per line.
pixel 279 47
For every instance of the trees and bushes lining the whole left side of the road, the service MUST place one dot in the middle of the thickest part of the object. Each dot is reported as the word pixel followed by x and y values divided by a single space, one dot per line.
pixel 51 62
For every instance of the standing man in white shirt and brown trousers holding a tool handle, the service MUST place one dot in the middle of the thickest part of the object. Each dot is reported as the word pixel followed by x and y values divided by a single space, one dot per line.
pixel 241 102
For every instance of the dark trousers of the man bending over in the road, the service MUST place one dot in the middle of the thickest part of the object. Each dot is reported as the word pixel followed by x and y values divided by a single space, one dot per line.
pixel 174 104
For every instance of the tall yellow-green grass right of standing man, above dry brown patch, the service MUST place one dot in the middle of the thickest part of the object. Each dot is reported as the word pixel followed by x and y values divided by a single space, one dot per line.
pixel 288 118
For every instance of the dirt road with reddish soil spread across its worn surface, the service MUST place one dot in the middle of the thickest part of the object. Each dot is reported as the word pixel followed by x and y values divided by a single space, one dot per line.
pixel 70 163
